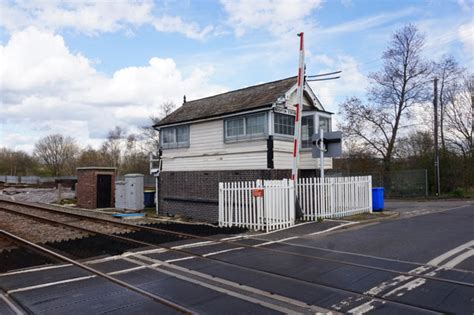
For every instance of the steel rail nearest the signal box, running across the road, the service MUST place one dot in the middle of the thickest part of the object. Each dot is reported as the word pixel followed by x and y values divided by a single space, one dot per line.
pixel 235 243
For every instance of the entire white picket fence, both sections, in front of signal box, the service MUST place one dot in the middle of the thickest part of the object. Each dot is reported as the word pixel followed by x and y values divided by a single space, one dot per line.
pixel 270 204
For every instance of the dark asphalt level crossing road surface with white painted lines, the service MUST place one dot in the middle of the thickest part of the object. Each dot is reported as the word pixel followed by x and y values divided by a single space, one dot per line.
pixel 411 265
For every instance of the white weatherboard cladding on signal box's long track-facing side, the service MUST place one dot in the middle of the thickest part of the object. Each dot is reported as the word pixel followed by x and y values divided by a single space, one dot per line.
pixel 207 151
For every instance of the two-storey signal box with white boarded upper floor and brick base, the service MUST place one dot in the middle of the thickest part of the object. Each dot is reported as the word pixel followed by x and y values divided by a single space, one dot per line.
pixel 242 135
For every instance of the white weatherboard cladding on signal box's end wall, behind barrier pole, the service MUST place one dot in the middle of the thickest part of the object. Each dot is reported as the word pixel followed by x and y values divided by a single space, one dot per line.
pixel 283 157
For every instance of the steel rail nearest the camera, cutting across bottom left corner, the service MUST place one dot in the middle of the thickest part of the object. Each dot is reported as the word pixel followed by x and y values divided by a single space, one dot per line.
pixel 128 286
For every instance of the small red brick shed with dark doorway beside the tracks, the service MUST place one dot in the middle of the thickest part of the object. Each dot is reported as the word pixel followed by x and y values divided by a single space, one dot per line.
pixel 95 187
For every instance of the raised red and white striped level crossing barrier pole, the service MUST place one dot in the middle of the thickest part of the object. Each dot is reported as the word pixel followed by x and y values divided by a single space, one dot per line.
pixel 299 110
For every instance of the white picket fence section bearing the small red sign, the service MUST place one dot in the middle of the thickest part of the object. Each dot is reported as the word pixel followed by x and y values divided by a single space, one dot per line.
pixel 258 205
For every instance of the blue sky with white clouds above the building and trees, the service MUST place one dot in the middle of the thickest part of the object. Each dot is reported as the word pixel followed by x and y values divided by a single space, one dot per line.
pixel 80 68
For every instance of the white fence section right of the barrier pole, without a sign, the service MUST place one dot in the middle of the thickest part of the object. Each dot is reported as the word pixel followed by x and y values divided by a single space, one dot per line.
pixel 334 196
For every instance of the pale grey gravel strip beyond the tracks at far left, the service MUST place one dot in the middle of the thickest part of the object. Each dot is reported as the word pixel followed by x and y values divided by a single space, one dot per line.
pixel 42 195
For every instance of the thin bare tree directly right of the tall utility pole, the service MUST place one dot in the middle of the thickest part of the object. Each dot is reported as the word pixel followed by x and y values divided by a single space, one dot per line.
pixel 448 72
